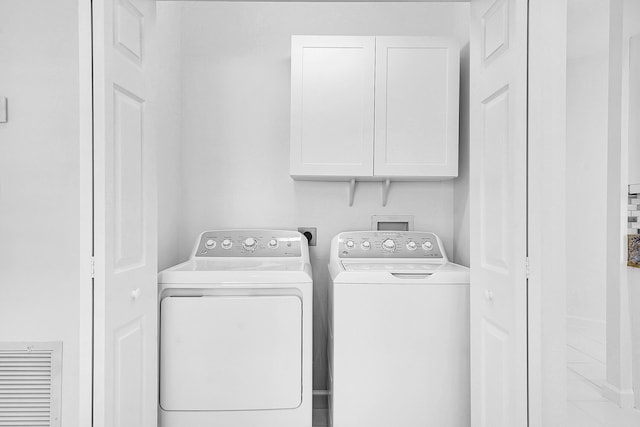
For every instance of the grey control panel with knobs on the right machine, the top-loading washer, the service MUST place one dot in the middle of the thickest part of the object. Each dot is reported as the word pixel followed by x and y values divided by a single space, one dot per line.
pixel 389 244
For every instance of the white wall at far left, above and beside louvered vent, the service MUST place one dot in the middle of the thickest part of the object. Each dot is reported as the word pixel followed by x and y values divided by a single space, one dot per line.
pixel 39 181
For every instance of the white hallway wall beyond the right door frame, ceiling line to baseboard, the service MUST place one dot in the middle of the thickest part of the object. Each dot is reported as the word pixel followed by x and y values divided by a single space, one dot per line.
pixel 587 91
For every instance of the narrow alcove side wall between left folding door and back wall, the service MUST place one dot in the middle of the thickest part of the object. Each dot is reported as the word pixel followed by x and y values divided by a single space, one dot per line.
pixel 167 61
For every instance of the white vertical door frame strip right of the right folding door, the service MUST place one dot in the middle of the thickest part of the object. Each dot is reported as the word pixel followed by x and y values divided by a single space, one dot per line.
pixel 546 212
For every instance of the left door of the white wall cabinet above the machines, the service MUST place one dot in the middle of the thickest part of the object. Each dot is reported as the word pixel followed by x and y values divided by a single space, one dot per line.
pixel 332 95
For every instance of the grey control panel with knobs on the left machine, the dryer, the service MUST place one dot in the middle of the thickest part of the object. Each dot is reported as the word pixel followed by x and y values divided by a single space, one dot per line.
pixel 250 243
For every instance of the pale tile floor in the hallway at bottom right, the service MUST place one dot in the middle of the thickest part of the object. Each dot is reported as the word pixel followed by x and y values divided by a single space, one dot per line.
pixel 586 373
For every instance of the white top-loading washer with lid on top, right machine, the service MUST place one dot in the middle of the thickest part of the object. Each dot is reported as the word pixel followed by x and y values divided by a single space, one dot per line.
pixel 398 332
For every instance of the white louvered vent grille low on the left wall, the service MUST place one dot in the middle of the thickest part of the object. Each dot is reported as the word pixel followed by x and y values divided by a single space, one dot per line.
pixel 30 380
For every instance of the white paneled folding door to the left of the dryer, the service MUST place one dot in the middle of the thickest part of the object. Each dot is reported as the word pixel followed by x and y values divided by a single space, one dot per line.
pixel 125 290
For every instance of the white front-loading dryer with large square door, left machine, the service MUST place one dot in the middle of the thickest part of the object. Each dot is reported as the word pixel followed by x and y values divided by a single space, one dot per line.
pixel 236 332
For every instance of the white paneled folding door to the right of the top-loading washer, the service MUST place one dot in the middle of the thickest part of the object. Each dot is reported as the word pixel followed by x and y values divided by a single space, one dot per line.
pixel 499 213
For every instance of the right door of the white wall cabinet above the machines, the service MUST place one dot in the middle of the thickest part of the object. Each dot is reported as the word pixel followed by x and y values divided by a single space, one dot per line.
pixel 416 103
